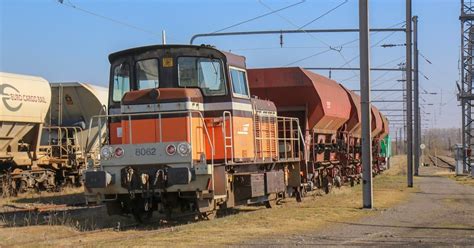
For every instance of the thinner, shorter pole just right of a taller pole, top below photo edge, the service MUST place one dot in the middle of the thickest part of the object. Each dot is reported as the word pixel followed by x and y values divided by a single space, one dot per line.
pixel 417 95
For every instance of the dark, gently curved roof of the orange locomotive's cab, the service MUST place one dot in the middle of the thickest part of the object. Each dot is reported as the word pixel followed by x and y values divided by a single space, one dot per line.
pixel 231 59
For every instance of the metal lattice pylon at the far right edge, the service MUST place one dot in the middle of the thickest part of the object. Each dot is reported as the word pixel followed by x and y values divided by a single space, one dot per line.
pixel 466 95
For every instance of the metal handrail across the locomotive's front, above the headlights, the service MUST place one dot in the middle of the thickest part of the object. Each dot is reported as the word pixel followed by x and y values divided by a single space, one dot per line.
pixel 159 114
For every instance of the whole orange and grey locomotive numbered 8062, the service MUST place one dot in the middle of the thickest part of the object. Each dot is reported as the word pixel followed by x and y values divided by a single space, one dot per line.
pixel 183 132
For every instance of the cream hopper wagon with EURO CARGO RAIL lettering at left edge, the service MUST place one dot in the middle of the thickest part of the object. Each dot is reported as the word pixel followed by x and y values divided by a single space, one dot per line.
pixel 25 103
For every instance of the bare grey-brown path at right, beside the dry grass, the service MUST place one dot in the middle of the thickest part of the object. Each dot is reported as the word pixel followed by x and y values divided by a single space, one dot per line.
pixel 440 214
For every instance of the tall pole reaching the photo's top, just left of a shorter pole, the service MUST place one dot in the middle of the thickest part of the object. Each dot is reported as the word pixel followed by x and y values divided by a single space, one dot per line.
pixel 409 133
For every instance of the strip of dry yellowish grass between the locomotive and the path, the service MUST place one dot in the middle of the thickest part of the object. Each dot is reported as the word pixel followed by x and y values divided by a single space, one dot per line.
pixel 251 223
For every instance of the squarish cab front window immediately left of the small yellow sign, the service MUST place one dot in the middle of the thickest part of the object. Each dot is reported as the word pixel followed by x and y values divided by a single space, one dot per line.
pixel 147 74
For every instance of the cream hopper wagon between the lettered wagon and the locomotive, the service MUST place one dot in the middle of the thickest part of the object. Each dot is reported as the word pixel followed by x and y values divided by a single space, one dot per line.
pixel 69 140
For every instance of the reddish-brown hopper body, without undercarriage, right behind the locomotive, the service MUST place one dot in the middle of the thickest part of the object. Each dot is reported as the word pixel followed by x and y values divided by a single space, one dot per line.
pixel 326 103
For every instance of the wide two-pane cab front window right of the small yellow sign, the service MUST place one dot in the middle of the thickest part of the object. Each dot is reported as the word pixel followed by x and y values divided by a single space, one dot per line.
pixel 204 73
